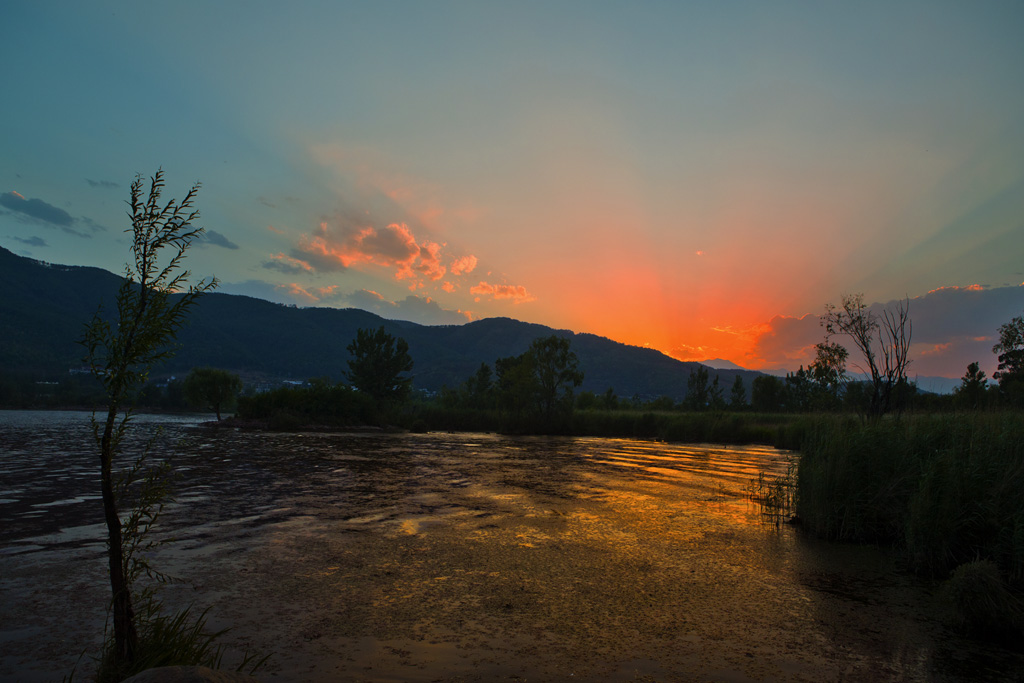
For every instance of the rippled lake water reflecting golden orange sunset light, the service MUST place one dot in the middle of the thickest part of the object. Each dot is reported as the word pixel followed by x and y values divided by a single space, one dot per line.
pixel 466 558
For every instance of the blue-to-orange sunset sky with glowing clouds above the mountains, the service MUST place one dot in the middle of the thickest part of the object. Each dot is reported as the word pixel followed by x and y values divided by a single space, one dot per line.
pixel 700 178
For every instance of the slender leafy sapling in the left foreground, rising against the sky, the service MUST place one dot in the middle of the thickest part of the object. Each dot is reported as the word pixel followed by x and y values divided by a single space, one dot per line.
pixel 152 304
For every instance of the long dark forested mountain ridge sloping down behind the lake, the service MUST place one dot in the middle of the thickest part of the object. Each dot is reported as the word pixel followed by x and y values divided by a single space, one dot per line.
pixel 44 309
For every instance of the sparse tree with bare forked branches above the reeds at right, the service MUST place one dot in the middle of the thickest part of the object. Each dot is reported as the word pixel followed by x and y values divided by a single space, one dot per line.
pixel 884 343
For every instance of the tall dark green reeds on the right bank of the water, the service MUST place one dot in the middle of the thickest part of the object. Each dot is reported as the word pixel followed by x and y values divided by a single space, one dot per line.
pixel 948 489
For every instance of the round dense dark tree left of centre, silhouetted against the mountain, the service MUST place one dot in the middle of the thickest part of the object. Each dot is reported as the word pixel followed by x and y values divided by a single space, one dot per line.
pixel 377 364
